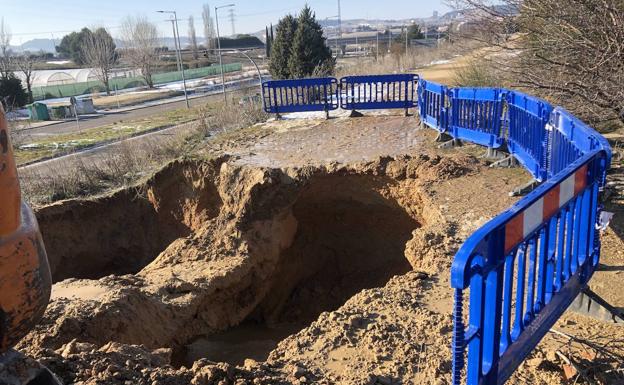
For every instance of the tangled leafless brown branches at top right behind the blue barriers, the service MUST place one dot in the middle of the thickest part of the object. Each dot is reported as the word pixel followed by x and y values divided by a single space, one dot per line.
pixel 570 52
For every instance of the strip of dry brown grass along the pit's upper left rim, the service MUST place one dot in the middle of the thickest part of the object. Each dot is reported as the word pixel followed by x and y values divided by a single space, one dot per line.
pixel 129 166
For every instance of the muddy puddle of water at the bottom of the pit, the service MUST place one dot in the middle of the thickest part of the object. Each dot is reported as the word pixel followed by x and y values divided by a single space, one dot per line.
pixel 248 340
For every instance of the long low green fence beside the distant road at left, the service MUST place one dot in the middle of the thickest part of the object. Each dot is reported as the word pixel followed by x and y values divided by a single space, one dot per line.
pixel 83 88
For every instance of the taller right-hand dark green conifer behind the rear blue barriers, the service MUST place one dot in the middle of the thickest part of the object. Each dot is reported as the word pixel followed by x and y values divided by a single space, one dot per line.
pixel 309 53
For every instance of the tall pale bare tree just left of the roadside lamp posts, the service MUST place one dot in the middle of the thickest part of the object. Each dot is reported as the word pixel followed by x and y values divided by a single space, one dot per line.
pixel 140 38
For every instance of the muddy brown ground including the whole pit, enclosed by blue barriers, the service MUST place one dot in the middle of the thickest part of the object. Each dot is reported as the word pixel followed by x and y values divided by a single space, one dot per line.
pixel 292 252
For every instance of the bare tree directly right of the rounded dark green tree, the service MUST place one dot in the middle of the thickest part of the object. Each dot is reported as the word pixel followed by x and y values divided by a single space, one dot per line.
pixel 98 51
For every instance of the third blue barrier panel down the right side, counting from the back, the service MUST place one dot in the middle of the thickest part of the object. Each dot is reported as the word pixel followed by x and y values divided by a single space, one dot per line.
pixel 526 137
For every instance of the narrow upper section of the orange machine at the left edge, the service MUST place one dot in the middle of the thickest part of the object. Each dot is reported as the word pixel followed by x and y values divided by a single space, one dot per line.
pixel 10 196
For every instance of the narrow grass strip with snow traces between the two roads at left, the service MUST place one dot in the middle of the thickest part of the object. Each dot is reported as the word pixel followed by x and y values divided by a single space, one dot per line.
pixel 67 143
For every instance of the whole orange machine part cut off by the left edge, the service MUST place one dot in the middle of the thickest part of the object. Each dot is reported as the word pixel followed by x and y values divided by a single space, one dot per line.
pixel 25 281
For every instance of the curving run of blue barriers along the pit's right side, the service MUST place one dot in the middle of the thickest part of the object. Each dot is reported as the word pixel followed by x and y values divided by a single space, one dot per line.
pixel 521 270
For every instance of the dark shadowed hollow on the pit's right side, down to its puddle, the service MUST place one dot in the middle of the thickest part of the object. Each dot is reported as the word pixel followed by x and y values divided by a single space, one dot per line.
pixel 349 237
